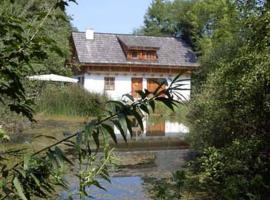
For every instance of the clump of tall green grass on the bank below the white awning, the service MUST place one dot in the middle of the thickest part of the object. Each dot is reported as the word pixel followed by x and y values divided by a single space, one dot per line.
pixel 70 100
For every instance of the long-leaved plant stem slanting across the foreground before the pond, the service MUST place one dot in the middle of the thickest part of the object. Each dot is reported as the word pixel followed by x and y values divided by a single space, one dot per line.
pixel 36 174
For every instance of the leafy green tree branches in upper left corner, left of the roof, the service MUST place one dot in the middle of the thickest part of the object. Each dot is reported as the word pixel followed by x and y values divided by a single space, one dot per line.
pixel 28 46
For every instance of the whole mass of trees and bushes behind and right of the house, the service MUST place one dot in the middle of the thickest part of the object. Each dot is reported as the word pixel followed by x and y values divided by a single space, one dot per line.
pixel 229 113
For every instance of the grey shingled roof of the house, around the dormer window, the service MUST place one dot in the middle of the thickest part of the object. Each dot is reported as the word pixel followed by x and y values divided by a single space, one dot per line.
pixel 105 48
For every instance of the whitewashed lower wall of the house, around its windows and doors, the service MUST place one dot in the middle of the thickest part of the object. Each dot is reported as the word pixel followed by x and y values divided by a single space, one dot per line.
pixel 95 82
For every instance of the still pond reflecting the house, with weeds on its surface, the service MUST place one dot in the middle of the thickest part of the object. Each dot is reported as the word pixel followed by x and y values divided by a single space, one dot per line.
pixel 151 154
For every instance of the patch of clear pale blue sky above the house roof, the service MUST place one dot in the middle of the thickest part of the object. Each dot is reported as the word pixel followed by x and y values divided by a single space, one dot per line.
pixel 115 16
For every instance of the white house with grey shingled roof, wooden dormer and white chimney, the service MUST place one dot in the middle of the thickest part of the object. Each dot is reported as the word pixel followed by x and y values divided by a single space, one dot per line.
pixel 118 64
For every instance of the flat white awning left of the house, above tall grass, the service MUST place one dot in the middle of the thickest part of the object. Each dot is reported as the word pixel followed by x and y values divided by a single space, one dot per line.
pixel 53 77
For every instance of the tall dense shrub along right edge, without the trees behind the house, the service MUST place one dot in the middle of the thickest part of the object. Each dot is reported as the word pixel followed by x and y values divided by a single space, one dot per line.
pixel 230 112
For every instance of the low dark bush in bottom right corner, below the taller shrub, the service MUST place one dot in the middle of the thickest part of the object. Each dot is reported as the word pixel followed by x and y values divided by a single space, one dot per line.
pixel 234 172
